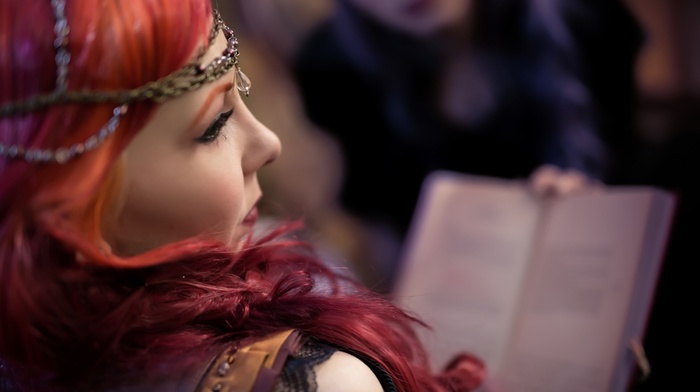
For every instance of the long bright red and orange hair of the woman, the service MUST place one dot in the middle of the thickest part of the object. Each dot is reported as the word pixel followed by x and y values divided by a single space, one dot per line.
pixel 64 322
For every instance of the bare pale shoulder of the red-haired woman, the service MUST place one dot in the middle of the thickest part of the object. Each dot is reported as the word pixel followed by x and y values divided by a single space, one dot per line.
pixel 343 372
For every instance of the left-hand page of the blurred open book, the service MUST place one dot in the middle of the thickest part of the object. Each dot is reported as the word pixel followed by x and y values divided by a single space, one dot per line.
pixel 464 264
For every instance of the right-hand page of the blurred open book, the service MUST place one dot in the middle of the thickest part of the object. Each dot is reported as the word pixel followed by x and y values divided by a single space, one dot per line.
pixel 576 303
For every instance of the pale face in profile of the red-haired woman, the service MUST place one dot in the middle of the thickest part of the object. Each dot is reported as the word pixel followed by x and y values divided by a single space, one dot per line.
pixel 187 176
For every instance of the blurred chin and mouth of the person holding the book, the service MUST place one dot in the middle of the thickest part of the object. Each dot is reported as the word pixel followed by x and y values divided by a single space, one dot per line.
pixel 416 17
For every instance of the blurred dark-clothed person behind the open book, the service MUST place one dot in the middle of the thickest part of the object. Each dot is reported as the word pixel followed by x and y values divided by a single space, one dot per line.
pixel 539 89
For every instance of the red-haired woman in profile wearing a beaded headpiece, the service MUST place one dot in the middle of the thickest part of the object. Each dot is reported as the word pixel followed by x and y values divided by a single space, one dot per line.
pixel 128 192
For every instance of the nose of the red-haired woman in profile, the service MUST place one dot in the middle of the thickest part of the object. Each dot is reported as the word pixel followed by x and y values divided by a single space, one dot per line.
pixel 263 147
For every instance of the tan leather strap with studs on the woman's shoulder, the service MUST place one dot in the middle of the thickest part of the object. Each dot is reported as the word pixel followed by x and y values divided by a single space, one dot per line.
pixel 253 368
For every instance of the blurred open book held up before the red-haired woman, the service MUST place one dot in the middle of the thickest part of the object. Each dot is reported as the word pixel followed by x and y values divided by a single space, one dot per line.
pixel 549 293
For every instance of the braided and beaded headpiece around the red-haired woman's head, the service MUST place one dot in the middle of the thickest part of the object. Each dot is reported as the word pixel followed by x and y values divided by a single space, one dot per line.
pixel 187 78
